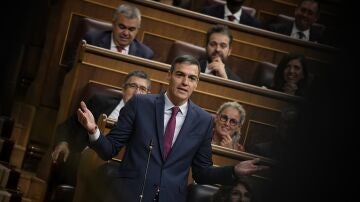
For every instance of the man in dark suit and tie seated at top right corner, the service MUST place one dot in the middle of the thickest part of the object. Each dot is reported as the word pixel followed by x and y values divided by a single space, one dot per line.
pixel 306 14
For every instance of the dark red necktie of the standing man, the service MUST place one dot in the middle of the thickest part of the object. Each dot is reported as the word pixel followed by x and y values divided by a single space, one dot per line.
pixel 169 131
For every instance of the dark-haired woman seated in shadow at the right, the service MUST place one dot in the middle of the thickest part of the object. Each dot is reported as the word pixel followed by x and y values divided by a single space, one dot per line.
pixel 291 75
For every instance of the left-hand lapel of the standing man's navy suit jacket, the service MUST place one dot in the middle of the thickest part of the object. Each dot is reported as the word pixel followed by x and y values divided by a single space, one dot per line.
pixel 159 114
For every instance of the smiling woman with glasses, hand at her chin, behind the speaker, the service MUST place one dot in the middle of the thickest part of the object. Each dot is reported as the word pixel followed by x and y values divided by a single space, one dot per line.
pixel 229 118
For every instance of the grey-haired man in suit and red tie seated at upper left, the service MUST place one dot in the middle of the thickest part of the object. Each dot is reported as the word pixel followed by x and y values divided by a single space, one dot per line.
pixel 126 23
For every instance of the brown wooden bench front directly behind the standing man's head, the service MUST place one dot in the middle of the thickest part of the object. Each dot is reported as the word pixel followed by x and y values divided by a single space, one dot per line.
pixel 109 68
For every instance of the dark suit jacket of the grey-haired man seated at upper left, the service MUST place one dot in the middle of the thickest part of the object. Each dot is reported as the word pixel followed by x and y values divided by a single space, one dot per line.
pixel 103 39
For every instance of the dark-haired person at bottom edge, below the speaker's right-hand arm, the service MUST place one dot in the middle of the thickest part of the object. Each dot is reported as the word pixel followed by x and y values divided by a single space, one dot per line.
pixel 240 192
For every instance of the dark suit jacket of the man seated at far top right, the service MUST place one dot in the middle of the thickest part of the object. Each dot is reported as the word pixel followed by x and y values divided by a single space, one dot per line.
pixel 286 28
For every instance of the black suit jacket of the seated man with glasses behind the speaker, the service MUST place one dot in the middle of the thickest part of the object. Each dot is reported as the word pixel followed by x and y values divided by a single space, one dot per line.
pixel 74 133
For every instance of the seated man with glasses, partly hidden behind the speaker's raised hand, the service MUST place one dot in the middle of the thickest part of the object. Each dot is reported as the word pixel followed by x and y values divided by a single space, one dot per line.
pixel 72 138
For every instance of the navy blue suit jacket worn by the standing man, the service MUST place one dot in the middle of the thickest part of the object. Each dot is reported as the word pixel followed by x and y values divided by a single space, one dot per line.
pixel 141 122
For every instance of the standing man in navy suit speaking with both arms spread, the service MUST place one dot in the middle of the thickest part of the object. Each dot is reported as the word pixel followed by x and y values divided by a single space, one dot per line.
pixel 164 134
